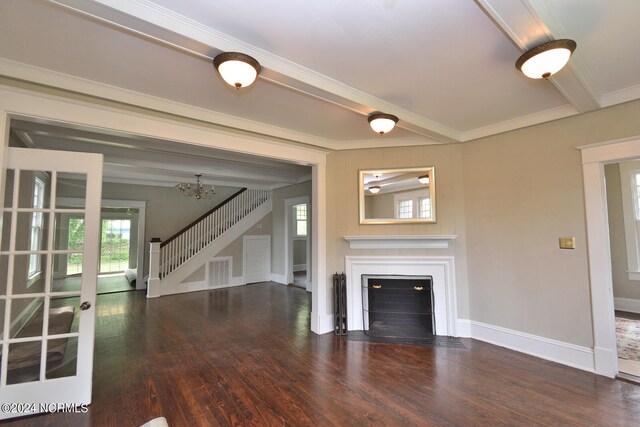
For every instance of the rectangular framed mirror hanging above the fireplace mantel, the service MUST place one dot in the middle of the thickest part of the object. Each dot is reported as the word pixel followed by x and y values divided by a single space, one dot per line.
pixel 397 196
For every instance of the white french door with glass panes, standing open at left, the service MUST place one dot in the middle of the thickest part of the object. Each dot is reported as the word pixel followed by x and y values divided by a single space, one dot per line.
pixel 46 323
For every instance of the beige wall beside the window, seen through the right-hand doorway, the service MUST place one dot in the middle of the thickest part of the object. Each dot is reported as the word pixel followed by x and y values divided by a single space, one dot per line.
pixel 622 286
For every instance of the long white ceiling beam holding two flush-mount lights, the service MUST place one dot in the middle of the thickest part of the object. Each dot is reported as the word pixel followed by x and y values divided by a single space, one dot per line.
pixel 143 12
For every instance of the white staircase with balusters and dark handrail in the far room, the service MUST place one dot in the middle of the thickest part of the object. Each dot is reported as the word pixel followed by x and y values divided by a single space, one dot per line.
pixel 173 260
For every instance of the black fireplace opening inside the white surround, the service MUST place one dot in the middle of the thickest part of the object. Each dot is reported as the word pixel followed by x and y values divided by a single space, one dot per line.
pixel 398 306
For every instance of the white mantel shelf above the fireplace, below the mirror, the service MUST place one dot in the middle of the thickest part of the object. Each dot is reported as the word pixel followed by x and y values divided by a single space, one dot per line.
pixel 411 241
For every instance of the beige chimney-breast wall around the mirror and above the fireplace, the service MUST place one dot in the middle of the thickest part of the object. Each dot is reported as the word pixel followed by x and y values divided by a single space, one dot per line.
pixel 342 205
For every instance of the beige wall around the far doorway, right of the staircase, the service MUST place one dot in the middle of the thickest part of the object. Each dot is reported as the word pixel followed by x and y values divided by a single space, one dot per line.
pixel 277 239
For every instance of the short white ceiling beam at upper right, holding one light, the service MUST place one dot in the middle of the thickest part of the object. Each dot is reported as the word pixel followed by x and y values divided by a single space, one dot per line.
pixel 529 23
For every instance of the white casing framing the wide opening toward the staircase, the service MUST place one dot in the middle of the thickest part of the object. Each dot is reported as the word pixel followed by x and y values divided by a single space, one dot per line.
pixel 20 102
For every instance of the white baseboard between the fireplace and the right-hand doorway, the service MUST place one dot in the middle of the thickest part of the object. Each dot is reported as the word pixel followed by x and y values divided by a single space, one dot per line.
pixel 544 348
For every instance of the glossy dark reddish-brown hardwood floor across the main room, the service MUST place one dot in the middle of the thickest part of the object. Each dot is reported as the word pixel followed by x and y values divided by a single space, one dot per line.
pixel 245 356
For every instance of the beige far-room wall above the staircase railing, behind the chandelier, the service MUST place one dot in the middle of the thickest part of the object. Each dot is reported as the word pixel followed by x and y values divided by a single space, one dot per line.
pixel 167 211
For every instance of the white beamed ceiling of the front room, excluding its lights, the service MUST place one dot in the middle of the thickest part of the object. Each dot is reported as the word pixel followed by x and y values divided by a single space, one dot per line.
pixel 445 68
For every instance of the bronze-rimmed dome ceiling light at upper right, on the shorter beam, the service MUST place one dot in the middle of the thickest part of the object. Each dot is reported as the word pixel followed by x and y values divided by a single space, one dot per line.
pixel 546 59
